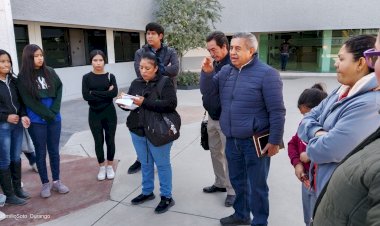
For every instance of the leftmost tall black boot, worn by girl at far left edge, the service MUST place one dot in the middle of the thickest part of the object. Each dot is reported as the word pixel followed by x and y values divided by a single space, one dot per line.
pixel 6 185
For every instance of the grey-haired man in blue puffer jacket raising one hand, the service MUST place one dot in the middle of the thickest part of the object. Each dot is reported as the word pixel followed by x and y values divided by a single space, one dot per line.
pixel 251 98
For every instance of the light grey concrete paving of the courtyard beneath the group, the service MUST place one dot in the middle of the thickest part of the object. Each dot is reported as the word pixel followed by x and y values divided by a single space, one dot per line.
pixel 192 170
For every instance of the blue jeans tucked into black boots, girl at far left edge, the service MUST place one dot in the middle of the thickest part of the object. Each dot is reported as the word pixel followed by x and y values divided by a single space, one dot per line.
pixel 10 143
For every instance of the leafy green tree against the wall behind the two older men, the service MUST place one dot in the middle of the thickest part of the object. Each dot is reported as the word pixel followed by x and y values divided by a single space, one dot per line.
pixel 187 22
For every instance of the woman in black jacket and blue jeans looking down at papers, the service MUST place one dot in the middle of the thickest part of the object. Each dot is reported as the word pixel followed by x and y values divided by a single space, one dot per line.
pixel 143 91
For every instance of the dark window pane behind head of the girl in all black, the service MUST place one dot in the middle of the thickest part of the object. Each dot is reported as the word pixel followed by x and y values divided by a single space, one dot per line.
pixel 94 39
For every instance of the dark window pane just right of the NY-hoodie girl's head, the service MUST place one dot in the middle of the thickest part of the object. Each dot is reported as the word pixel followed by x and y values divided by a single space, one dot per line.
pixel 55 42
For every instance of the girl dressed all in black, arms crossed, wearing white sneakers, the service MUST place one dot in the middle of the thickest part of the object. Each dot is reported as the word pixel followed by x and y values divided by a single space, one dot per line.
pixel 98 89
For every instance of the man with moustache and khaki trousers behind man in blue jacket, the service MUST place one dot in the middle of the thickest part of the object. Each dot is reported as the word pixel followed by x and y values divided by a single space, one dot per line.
pixel 217 45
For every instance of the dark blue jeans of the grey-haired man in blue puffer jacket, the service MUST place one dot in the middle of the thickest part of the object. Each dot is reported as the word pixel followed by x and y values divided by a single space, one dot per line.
pixel 248 176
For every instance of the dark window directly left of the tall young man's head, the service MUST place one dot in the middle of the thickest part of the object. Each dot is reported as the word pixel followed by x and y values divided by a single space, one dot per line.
pixel 126 44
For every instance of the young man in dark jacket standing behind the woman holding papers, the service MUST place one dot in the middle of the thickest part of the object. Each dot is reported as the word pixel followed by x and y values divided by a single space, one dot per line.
pixel 167 59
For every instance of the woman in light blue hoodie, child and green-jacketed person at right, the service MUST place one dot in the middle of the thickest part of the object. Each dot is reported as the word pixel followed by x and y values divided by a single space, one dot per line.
pixel 339 177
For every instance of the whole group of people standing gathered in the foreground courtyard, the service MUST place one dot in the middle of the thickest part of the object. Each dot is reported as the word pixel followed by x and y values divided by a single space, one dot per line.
pixel 334 152
